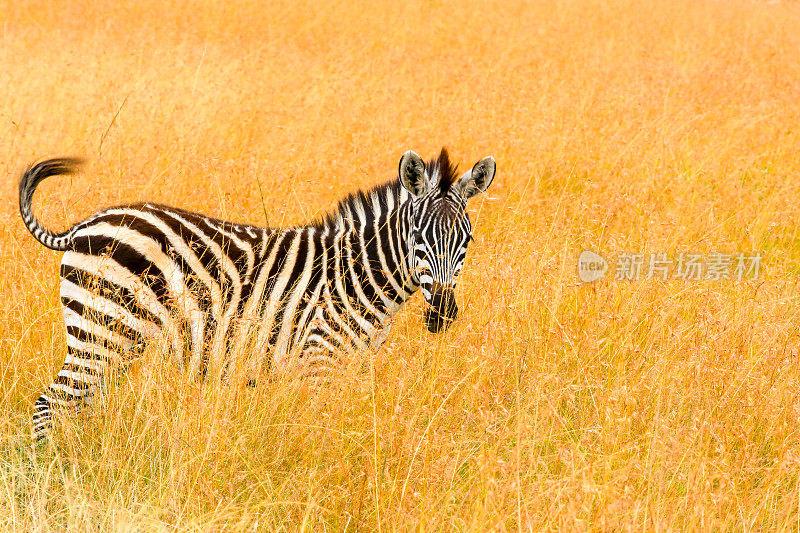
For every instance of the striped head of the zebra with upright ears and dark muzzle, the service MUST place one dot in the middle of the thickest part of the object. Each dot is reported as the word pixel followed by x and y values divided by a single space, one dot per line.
pixel 438 229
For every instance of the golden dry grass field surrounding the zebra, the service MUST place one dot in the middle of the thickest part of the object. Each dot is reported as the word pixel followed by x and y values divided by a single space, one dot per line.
pixel 618 126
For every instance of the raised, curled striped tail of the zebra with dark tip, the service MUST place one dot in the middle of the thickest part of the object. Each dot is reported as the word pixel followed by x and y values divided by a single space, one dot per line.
pixel 27 185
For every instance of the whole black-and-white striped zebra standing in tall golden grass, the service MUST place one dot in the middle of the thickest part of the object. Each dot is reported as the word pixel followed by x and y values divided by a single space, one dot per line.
pixel 223 297
